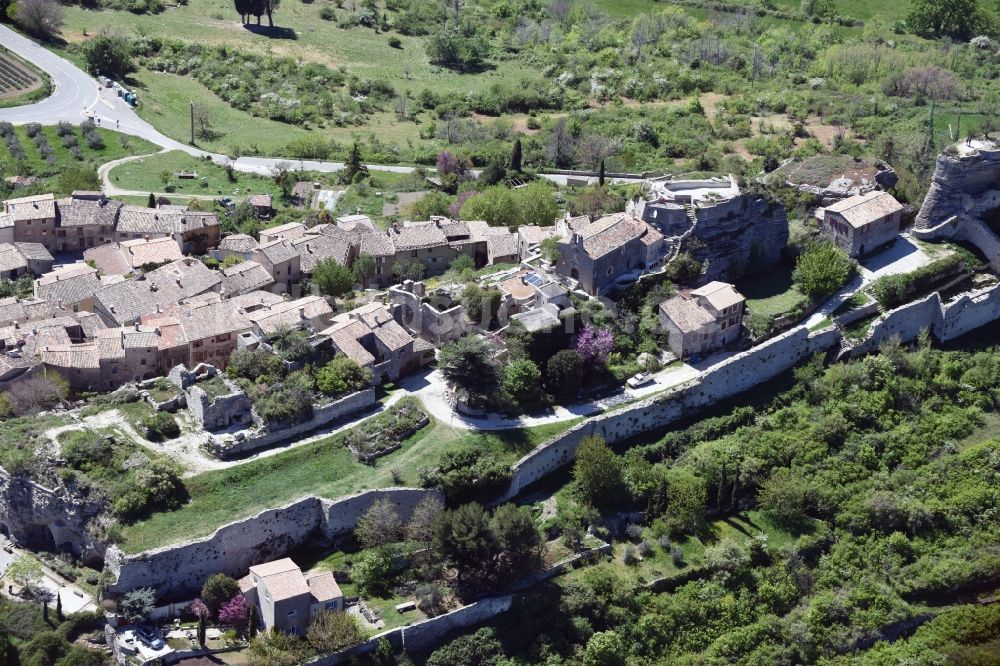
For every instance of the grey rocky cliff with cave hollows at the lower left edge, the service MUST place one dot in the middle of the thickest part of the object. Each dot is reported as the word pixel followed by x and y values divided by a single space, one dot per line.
pixel 41 518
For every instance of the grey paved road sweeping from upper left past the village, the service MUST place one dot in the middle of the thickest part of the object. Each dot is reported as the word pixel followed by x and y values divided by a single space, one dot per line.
pixel 77 96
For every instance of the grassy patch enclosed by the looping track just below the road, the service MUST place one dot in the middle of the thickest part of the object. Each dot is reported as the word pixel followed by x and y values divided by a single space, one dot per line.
pixel 144 175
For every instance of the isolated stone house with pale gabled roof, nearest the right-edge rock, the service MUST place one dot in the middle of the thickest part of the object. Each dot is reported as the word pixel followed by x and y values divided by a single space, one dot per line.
pixel 862 223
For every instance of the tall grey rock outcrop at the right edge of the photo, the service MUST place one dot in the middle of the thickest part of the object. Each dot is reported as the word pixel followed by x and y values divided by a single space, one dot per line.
pixel 966 184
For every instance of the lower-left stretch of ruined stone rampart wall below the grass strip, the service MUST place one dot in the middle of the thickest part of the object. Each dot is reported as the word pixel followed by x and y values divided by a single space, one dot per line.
pixel 178 570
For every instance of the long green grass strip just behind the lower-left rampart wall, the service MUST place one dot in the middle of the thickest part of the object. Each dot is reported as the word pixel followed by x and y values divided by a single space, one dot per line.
pixel 323 468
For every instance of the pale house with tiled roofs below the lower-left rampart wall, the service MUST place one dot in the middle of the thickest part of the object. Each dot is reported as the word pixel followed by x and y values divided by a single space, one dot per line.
pixel 287 599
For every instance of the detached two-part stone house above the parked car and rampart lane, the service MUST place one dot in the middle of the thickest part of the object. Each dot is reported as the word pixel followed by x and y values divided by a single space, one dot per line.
pixel 703 320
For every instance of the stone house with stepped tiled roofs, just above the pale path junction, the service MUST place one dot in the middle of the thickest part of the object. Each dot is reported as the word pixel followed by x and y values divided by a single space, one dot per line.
pixel 371 337
